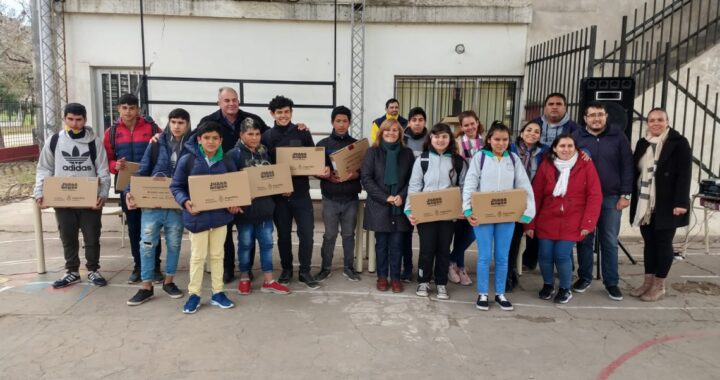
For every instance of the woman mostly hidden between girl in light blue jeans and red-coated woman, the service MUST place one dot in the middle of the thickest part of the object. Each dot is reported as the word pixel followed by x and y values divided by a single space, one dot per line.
pixel 531 152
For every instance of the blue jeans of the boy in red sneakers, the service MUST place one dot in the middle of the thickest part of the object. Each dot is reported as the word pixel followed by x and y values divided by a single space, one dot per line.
pixel 247 233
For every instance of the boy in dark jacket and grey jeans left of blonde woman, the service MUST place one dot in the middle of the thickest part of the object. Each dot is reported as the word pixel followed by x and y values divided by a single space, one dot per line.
pixel 340 199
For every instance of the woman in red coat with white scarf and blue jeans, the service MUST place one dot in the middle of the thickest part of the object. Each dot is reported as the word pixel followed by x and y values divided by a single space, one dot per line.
pixel 568 199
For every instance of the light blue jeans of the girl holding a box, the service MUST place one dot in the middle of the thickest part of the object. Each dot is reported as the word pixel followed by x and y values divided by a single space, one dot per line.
pixel 498 235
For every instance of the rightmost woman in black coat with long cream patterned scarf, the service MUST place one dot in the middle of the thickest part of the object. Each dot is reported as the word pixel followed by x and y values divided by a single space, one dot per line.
pixel 660 199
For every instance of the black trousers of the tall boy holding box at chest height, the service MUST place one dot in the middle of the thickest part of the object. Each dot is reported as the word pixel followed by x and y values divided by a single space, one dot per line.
pixel 297 207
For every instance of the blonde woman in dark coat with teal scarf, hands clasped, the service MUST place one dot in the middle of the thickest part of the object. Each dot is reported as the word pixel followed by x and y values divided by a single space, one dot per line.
pixel 385 175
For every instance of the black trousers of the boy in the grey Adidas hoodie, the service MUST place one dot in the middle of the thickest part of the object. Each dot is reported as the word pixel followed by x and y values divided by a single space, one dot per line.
pixel 70 221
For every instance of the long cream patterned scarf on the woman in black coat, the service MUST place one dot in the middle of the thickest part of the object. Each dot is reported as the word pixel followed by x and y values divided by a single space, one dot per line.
pixel 646 182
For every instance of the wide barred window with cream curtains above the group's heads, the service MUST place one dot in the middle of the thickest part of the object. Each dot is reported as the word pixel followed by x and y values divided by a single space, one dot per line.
pixel 492 98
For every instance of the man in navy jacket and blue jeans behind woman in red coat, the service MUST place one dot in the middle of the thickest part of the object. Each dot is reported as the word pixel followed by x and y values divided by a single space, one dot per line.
pixel 609 149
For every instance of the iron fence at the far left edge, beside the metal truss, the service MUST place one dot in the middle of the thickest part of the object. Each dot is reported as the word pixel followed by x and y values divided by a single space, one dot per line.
pixel 17 124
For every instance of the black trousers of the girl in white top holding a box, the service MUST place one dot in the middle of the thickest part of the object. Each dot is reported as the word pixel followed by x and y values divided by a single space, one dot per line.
pixel 435 239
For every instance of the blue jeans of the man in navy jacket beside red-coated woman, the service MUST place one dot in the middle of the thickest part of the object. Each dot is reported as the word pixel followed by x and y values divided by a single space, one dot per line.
pixel 609 228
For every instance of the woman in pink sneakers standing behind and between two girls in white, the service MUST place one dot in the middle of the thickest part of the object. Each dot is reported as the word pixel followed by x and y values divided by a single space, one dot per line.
pixel 469 139
